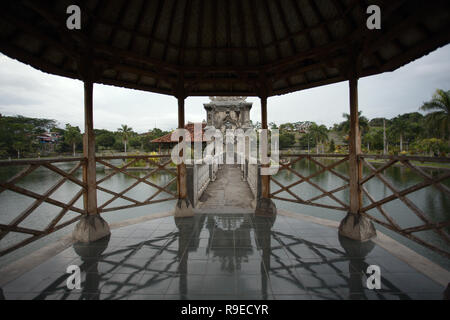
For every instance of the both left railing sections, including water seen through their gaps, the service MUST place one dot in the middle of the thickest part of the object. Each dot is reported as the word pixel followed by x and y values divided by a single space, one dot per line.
pixel 49 194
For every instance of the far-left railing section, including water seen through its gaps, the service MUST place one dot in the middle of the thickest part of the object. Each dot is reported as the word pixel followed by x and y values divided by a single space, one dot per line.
pixel 47 195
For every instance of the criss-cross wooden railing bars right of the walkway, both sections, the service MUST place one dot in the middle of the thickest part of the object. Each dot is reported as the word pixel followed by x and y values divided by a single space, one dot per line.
pixel 374 171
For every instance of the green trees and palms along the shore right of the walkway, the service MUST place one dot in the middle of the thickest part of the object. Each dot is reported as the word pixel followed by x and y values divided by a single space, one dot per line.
pixel 409 133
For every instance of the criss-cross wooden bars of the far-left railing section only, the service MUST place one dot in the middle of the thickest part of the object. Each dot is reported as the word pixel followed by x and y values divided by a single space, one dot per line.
pixel 11 184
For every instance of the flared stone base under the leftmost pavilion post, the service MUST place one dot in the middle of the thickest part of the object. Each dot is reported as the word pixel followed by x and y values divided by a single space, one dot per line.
pixel 90 228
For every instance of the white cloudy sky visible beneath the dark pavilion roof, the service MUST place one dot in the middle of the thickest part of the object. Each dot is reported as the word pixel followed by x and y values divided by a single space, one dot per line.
pixel 31 93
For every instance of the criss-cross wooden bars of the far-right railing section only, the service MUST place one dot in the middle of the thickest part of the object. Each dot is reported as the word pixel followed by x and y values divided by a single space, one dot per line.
pixel 428 180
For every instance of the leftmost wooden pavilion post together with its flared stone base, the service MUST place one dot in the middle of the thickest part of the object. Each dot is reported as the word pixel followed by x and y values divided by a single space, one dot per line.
pixel 91 226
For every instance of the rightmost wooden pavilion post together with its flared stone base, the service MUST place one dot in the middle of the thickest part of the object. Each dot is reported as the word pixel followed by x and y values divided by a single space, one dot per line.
pixel 354 225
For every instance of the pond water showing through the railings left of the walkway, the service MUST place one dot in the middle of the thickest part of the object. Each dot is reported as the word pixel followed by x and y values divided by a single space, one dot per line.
pixel 11 203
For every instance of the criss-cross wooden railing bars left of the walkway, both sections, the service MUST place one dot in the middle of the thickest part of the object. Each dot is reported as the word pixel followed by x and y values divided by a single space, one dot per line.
pixel 156 164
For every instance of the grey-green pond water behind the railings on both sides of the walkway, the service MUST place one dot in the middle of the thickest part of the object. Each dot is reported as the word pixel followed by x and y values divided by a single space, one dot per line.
pixel 432 201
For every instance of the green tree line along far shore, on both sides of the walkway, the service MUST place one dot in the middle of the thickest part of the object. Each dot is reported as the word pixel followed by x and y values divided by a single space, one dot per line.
pixel 409 133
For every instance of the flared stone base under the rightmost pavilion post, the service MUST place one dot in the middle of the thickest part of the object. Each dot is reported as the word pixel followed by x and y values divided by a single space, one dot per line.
pixel 356 227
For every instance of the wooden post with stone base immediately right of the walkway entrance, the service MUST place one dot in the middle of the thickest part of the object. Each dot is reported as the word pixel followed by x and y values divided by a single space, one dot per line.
pixel 264 205
